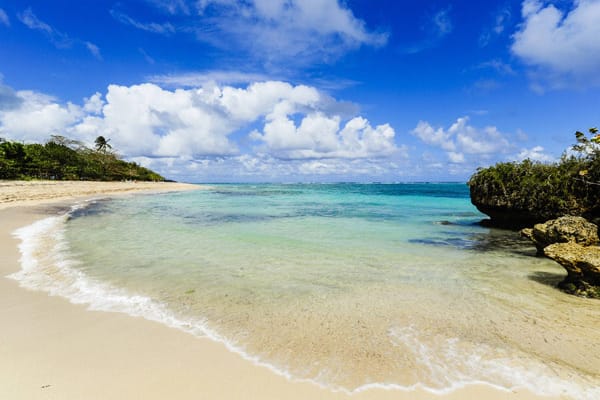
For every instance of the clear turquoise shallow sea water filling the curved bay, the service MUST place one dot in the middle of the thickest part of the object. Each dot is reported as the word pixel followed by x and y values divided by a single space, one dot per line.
pixel 350 286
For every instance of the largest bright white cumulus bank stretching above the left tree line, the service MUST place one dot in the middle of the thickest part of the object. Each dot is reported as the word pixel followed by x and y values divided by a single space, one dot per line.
pixel 184 129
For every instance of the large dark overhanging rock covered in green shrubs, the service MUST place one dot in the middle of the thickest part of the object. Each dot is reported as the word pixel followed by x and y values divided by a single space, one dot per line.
pixel 519 194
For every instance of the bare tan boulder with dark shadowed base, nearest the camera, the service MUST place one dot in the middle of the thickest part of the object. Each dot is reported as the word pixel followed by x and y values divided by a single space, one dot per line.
pixel 583 267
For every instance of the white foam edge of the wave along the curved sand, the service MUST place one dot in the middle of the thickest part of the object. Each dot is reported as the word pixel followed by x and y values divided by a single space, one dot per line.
pixel 99 296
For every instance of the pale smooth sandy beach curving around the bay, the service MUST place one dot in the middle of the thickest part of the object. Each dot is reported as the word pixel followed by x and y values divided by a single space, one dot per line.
pixel 52 349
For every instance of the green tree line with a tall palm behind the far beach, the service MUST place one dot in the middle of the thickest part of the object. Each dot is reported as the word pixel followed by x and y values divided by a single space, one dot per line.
pixel 61 158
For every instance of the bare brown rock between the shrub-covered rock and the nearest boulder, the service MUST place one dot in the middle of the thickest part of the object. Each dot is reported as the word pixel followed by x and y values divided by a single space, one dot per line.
pixel 567 229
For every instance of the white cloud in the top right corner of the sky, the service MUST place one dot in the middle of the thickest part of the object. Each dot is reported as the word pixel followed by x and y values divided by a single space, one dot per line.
pixel 562 45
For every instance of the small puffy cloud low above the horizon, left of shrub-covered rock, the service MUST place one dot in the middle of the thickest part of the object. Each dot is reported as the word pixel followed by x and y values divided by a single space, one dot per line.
pixel 462 139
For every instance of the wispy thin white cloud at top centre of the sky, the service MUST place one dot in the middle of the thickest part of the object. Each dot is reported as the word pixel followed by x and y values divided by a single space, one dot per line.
pixel 274 31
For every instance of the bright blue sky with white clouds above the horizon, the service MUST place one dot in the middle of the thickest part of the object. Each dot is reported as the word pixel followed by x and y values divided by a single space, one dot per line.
pixel 312 90
